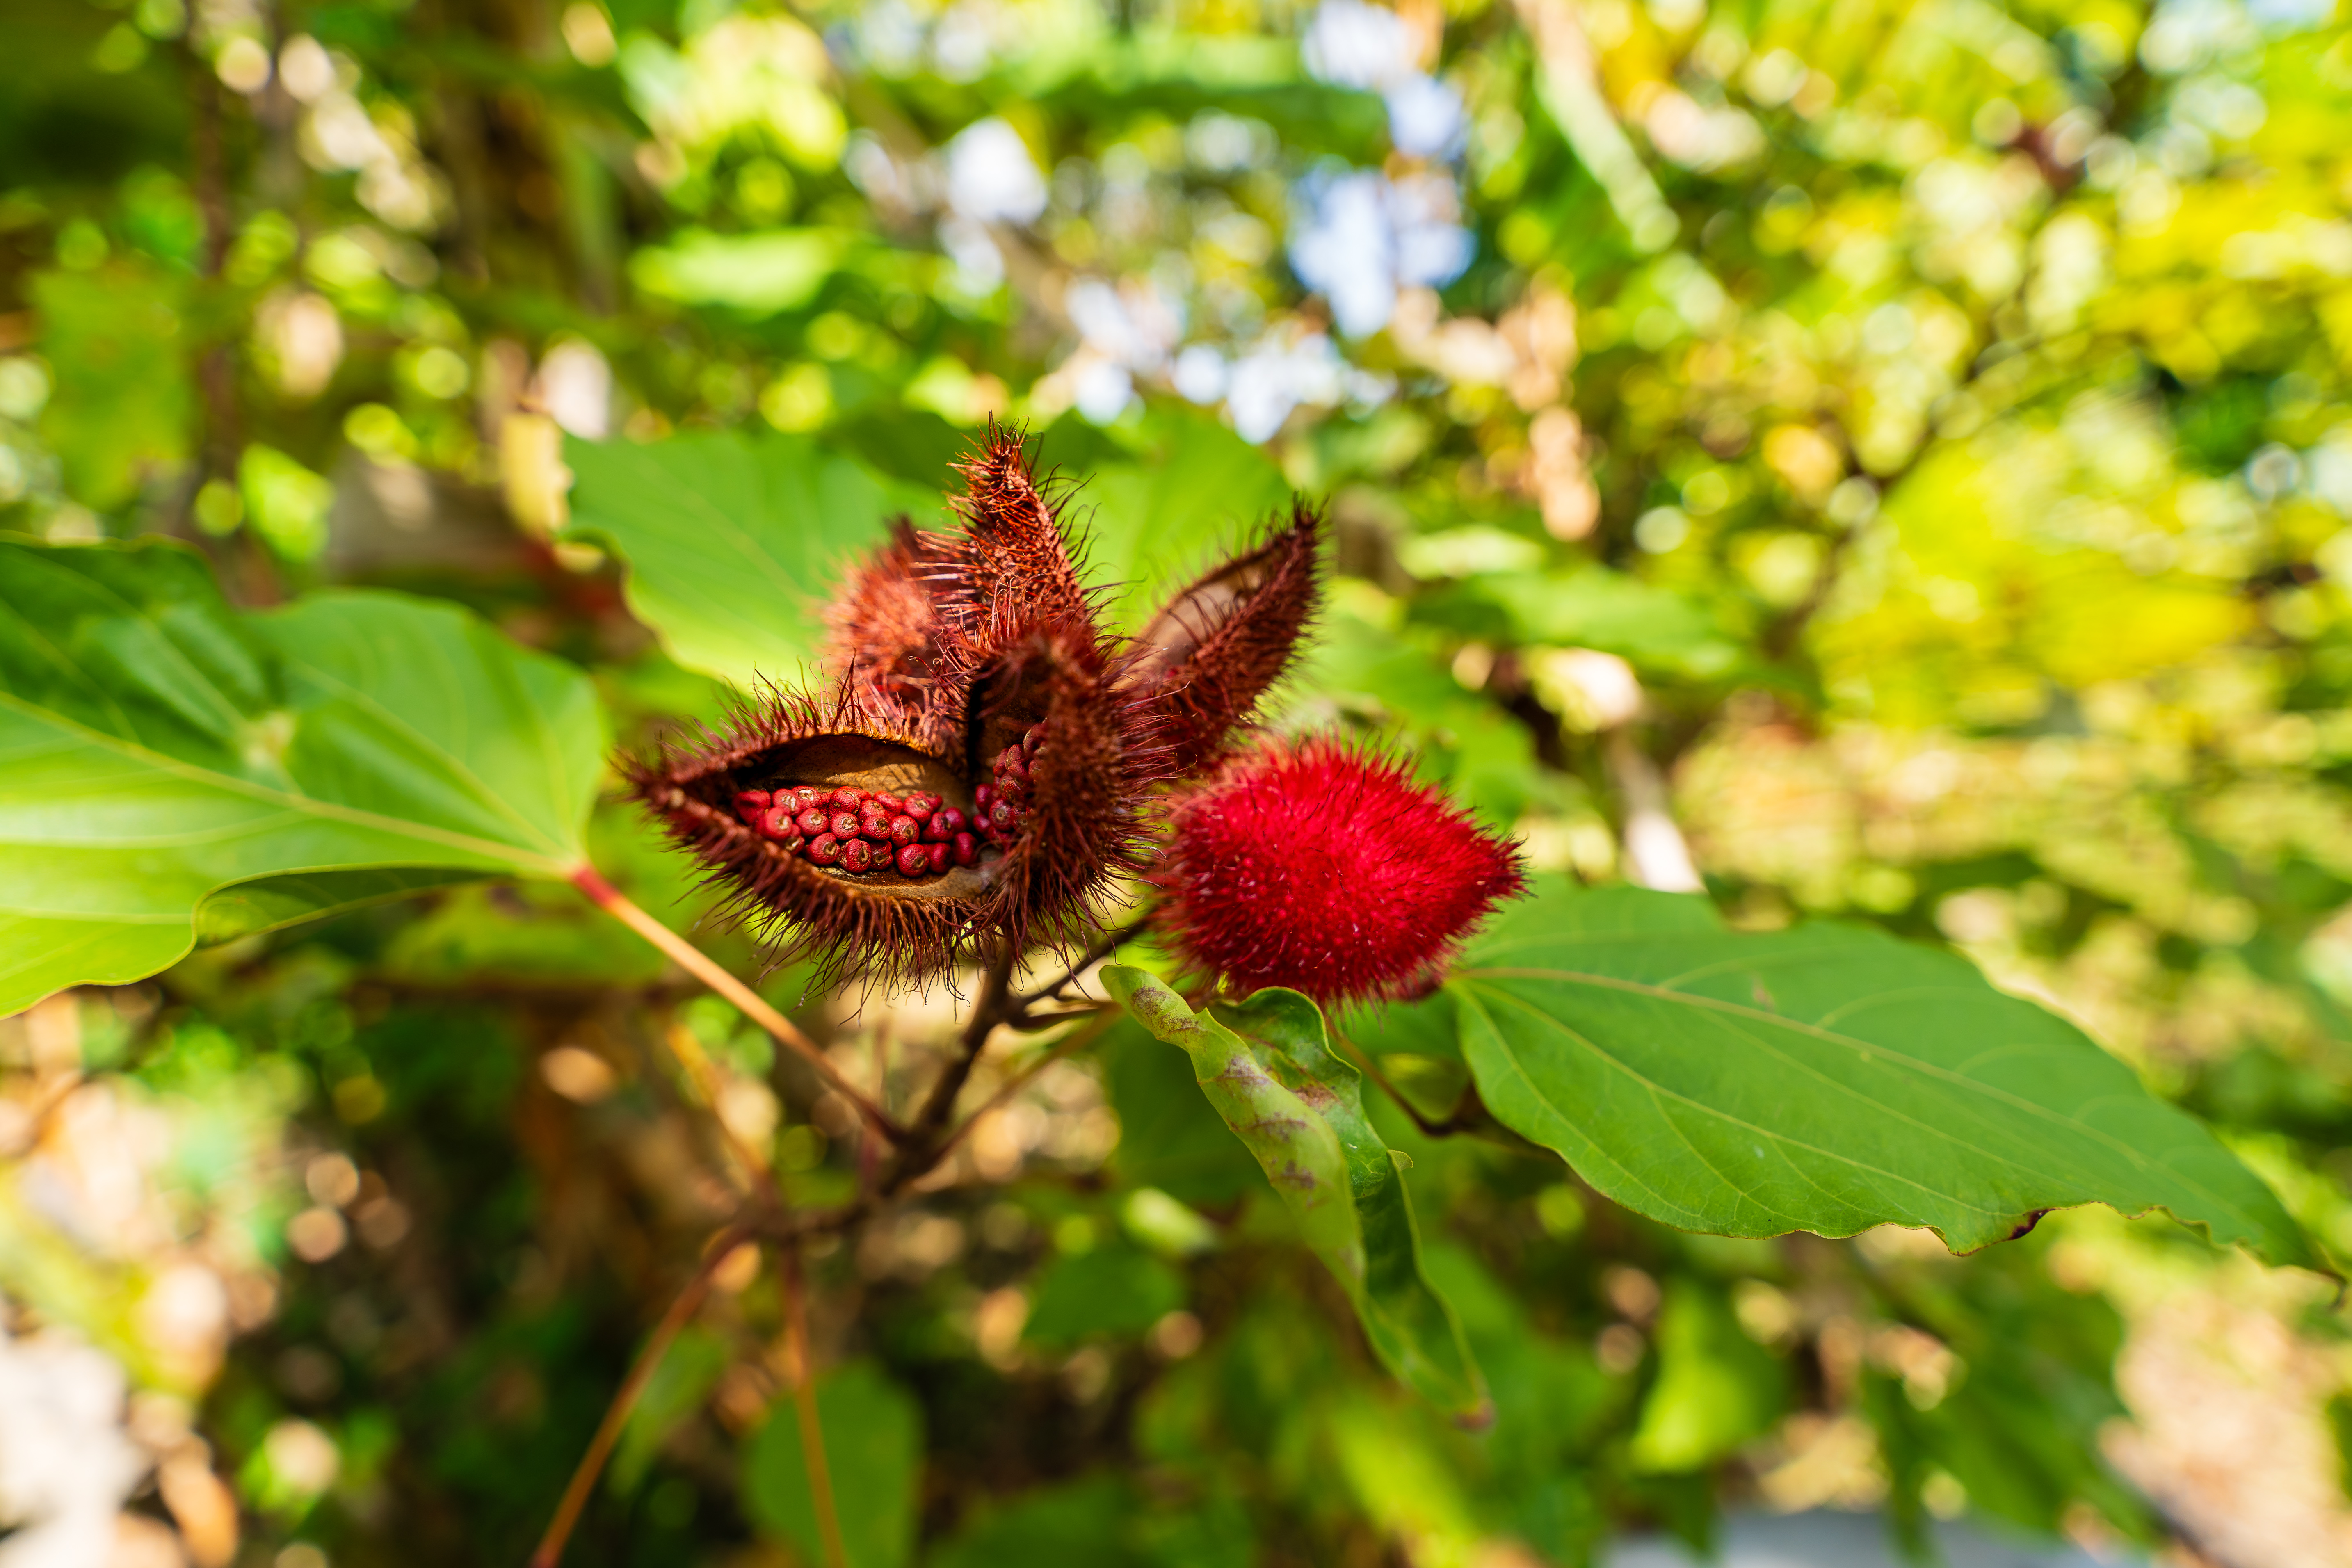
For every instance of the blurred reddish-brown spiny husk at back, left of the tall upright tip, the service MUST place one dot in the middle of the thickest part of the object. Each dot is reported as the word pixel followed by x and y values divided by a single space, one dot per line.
pixel 883 638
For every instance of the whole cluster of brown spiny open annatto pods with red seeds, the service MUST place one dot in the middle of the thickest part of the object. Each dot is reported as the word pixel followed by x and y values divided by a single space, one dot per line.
pixel 989 756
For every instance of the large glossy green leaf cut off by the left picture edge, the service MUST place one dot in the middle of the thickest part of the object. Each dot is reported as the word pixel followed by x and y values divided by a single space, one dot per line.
pixel 163 749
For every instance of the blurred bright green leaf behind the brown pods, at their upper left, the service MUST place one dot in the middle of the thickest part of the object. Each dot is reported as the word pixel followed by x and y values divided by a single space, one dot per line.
pixel 733 542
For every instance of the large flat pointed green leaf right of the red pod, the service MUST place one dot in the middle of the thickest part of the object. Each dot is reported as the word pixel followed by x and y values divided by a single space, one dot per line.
pixel 1824 1078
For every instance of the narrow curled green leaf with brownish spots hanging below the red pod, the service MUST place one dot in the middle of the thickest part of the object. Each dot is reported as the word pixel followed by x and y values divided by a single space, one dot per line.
pixel 1269 1071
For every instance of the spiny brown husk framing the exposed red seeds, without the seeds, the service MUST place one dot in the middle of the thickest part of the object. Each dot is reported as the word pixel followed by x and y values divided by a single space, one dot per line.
pixel 871 925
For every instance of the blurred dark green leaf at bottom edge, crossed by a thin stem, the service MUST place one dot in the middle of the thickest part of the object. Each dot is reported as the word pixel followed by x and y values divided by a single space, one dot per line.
pixel 874 1456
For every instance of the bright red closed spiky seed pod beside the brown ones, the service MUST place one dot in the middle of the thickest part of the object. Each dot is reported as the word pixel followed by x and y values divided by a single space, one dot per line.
pixel 1328 871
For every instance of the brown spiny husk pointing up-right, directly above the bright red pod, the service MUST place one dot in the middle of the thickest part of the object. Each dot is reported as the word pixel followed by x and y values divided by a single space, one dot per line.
pixel 1215 650
